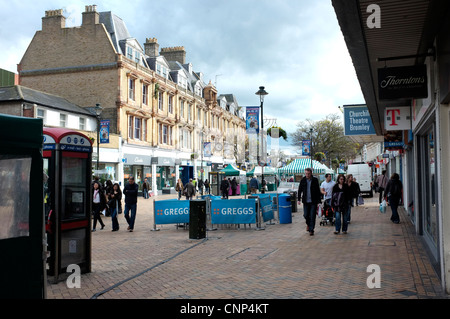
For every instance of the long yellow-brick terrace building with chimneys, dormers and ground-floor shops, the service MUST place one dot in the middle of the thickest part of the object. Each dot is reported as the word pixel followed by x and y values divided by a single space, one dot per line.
pixel 160 109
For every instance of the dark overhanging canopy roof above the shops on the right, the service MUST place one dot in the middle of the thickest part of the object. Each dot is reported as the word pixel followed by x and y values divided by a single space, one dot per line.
pixel 407 28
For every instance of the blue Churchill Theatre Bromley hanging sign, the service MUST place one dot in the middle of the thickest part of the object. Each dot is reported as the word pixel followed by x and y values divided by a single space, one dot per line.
pixel 357 121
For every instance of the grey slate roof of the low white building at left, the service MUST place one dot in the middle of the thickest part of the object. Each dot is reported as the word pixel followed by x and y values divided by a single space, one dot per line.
pixel 22 93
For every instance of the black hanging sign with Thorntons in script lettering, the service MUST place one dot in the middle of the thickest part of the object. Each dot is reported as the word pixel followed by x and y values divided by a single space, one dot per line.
pixel 403 82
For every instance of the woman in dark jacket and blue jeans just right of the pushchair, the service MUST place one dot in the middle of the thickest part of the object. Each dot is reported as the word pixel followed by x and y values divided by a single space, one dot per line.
pixel 340 200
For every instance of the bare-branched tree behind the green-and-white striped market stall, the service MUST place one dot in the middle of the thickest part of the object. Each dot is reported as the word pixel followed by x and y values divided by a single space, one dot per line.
pixel 327 137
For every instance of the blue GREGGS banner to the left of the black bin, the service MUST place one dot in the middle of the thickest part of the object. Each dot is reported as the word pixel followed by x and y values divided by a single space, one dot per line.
pixel 171 211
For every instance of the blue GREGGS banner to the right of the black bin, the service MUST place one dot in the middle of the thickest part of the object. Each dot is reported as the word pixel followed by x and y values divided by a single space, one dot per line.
pixel 233 211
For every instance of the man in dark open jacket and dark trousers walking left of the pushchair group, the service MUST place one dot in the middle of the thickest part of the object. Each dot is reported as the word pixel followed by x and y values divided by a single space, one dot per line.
pixel 309 192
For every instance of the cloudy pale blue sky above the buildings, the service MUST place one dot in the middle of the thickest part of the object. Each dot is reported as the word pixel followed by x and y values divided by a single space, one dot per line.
pixel 294 48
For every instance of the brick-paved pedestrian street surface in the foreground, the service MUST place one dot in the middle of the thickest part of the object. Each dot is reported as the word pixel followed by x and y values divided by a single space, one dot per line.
pixel 280 262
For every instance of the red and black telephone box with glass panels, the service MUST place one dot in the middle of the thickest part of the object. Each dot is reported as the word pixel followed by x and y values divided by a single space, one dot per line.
pixel 67 157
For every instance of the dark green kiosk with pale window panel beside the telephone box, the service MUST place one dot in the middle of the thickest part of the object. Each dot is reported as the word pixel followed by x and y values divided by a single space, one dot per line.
pixel 22 266
